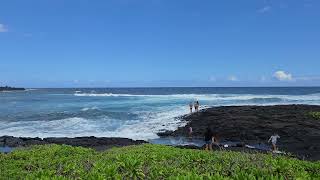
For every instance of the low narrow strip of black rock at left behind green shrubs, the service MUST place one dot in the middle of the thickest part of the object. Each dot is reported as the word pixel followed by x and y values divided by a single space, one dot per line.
pixel 97 143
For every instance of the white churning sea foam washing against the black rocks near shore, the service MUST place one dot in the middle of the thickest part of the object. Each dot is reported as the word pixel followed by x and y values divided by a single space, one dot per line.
pixel 145 128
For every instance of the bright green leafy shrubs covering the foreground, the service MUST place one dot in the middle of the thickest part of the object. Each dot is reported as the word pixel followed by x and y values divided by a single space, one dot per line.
pixel 149 162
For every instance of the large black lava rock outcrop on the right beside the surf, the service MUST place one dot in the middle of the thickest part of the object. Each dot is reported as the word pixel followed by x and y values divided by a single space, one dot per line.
pixel 300 133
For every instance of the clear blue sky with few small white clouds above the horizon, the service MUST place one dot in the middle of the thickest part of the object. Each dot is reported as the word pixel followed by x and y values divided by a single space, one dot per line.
pixel 119 43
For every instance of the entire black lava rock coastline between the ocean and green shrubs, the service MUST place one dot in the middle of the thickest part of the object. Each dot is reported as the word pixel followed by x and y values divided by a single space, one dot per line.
pixel 245 125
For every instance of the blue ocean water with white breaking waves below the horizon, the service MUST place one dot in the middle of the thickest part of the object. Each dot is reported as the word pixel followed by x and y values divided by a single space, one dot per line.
pixel 137 113
